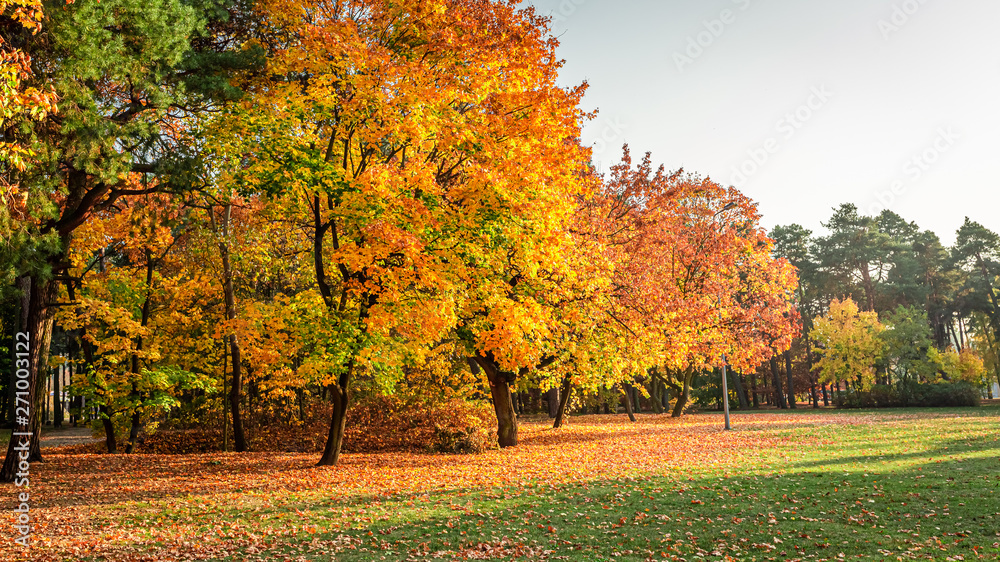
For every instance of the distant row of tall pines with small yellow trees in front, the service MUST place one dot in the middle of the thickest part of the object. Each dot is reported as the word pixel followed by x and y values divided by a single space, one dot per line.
pixel 885 303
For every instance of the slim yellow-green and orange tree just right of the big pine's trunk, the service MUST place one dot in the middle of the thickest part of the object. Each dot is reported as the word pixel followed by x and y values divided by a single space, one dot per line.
pixel 125 274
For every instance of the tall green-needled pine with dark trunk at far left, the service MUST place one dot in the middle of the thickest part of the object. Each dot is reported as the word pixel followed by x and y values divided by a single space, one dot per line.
pixel 126 75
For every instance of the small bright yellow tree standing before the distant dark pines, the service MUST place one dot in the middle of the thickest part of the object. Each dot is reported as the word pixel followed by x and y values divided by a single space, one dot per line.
pixel 848 344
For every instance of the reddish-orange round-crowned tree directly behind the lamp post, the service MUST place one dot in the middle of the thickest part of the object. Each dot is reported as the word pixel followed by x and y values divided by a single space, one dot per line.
pixel 701 281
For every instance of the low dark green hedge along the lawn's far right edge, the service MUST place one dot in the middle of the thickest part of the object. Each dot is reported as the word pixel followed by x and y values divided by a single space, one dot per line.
pixel 936 395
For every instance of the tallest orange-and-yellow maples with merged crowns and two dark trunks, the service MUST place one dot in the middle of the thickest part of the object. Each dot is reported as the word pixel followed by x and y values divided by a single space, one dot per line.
pixel 425 146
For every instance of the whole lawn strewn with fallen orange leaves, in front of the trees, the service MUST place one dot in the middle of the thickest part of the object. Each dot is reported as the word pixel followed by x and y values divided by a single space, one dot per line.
pixel 886 485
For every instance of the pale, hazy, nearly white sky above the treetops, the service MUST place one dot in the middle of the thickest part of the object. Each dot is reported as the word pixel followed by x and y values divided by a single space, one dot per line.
pixel 802 105
